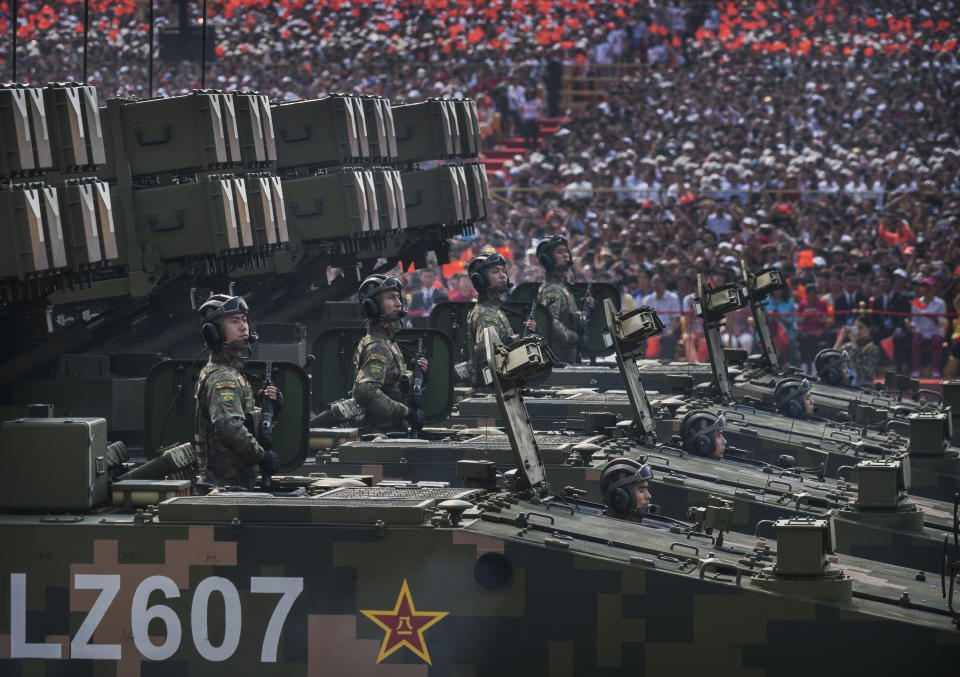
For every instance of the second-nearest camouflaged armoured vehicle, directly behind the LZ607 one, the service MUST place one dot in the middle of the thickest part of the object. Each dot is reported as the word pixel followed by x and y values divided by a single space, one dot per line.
pixel 874 516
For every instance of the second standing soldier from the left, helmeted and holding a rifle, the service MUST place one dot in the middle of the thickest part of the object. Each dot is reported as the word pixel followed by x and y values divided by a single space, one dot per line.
pixel 381 383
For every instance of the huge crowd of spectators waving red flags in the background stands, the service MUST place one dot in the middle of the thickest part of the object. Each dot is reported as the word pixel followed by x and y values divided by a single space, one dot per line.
pixel 816 136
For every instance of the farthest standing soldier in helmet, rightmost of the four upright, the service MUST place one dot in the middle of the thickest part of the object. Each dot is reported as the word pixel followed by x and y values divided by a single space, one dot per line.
pixel 555 294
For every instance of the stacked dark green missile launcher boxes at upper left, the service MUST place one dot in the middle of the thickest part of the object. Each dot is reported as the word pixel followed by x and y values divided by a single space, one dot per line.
pixel 125 216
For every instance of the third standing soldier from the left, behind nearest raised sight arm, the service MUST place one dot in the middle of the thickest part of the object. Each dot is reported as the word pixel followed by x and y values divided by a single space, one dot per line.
pixel 488 274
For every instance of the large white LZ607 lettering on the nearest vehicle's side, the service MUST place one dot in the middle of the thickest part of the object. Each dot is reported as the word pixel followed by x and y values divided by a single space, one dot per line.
pixel 141 615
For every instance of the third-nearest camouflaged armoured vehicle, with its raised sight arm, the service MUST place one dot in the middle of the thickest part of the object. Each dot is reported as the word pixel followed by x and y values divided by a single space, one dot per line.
pixel 761 434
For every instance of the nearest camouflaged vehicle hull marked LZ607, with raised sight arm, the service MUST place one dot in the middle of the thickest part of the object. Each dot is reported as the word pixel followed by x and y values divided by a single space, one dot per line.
pixel 321 577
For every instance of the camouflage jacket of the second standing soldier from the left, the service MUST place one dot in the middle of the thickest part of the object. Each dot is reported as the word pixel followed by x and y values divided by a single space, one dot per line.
pixel 380 387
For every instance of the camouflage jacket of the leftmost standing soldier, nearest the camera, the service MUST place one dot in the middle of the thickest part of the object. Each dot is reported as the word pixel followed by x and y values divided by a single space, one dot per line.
pixel 227 450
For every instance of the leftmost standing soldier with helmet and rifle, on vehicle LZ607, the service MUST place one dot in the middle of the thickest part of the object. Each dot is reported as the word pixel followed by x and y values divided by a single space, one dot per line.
pixel 226 414
